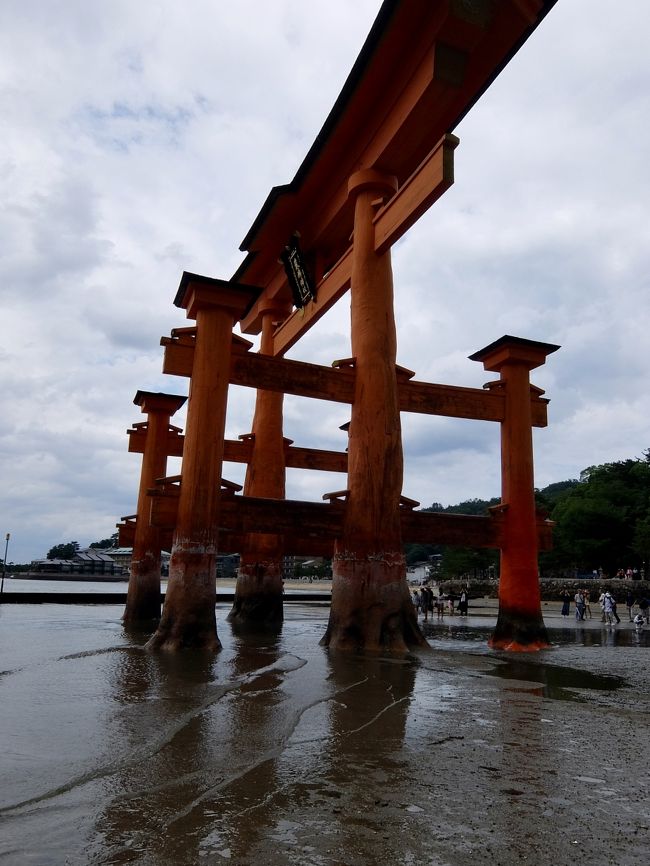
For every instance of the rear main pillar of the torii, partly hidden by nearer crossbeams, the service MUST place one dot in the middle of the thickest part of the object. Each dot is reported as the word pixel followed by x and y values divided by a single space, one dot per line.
pixel 258 593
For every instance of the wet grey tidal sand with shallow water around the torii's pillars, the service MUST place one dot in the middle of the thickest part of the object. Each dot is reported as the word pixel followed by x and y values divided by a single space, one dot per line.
pixel 276 751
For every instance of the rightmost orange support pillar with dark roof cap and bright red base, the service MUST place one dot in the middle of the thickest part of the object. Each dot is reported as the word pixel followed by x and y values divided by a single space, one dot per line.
pixel 520 626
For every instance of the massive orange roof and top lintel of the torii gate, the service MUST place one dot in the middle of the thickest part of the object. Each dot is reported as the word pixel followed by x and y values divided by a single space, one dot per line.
pixel 423 66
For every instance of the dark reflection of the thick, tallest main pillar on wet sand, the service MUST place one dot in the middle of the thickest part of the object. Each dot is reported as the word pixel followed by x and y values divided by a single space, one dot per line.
pixel 343 723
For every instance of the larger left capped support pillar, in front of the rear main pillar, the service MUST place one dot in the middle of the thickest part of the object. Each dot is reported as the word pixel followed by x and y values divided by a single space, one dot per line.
pixel 188 617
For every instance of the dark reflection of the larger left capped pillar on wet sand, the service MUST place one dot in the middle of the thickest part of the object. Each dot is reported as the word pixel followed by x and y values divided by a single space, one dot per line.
pixel 163 699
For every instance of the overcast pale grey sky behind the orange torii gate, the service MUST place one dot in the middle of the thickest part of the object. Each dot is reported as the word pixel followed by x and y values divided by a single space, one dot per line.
pixel 140 140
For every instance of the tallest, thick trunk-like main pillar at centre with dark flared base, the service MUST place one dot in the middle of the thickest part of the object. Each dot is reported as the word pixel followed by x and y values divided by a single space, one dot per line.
pixel 371 606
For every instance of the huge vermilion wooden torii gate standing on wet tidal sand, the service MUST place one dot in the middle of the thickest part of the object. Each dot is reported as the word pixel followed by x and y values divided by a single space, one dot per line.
pixel 383 157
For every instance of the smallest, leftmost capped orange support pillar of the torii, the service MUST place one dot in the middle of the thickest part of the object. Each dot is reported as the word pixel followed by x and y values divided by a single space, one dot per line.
pixel 143 595
